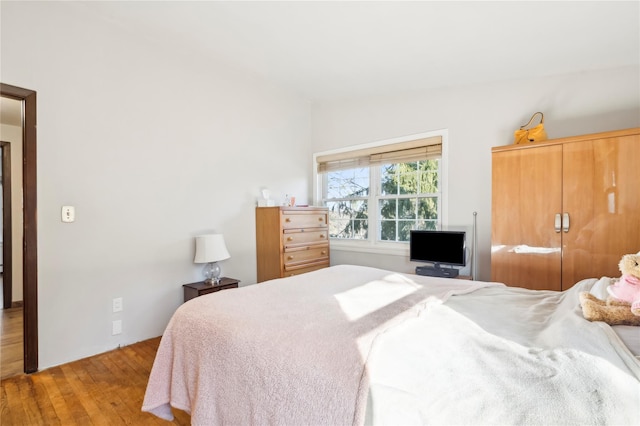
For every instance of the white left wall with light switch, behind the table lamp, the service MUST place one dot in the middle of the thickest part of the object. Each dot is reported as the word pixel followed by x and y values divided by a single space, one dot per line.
pixel 152 147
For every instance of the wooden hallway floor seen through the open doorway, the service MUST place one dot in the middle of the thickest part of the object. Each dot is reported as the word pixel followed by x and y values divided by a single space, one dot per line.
pixel 11 343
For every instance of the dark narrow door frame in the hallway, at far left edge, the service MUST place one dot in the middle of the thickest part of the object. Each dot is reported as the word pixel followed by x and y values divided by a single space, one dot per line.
pixel 7 228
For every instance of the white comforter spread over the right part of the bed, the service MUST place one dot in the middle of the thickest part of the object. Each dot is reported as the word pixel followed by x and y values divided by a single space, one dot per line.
pixel 503 356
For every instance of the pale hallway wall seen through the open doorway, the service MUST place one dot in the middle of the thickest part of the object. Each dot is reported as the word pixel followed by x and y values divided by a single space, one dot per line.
pixel 13 134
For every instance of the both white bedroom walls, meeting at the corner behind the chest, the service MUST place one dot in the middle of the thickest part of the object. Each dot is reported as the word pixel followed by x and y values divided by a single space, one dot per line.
pixel 154 146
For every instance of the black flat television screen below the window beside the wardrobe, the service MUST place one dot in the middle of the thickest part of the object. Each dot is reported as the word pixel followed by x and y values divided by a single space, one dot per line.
pixel 446 247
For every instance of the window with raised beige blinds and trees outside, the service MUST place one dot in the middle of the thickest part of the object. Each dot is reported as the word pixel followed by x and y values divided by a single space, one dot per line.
pixel 378 193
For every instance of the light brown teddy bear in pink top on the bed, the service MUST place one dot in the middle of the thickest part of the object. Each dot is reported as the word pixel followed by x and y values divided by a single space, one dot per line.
pixel 622 307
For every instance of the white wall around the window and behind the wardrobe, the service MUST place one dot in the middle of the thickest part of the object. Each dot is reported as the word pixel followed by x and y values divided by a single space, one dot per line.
pixel 478 118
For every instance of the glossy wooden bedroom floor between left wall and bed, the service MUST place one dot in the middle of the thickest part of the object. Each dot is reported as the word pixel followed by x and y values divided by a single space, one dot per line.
pixel 105 389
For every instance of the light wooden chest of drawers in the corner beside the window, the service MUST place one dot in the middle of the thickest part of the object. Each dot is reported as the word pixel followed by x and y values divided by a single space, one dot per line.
pixel 291 241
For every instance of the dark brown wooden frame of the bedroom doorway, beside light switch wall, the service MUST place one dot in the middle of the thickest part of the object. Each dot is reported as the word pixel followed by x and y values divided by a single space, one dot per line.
pixel 30 222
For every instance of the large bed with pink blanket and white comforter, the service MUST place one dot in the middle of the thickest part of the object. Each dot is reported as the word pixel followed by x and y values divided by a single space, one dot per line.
pixel 352 345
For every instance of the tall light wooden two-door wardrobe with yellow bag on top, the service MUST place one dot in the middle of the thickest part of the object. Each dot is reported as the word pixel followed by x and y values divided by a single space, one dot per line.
pixel 564 210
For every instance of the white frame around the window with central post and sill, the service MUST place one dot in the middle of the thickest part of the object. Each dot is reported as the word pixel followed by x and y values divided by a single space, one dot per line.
pixel 371 244
